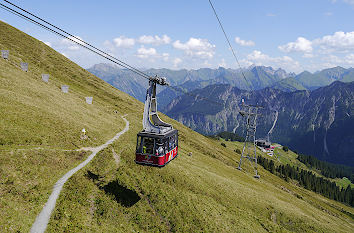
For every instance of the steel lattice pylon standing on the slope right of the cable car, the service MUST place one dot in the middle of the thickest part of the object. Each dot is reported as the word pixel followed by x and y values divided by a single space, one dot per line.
pixel 250 112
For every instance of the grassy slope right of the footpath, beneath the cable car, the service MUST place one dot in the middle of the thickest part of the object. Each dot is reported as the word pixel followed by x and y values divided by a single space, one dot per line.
pixel 202 192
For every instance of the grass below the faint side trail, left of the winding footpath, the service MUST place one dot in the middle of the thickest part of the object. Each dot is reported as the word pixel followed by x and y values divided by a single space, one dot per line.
pixel 27 178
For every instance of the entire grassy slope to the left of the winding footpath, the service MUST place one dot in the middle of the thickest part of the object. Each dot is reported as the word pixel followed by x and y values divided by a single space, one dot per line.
pixel 34 114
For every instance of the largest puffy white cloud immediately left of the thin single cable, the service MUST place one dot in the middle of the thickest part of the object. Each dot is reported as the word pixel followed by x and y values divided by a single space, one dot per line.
pixel 196 47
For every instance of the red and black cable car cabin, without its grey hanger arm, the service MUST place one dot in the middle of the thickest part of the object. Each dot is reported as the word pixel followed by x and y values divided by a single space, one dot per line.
pixel 156 149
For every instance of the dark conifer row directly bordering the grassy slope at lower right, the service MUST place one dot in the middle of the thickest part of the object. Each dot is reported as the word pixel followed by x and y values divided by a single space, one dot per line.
pixel 310 181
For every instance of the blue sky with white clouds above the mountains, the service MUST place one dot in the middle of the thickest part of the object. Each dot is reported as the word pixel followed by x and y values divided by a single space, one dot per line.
pixel 294 35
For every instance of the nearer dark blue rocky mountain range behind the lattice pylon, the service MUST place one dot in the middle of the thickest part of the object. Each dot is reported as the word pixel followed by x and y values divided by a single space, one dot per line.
pixel 318 122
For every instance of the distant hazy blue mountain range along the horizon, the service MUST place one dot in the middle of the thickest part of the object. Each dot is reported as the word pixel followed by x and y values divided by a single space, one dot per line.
pixel 251 78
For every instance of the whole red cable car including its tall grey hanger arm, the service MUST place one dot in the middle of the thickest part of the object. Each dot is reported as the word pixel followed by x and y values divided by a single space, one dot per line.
pixel 157 143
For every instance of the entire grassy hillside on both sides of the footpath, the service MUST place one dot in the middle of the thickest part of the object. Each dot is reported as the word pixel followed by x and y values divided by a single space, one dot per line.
pixel 202 192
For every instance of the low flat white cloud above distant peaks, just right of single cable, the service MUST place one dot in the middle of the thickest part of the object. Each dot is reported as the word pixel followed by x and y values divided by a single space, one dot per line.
pixel 285 62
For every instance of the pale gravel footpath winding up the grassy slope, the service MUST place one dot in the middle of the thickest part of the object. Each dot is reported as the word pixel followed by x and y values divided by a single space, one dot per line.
pixel 42 219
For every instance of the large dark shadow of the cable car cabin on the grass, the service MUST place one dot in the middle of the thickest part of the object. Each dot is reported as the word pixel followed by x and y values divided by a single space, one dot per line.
pixel 122 195
